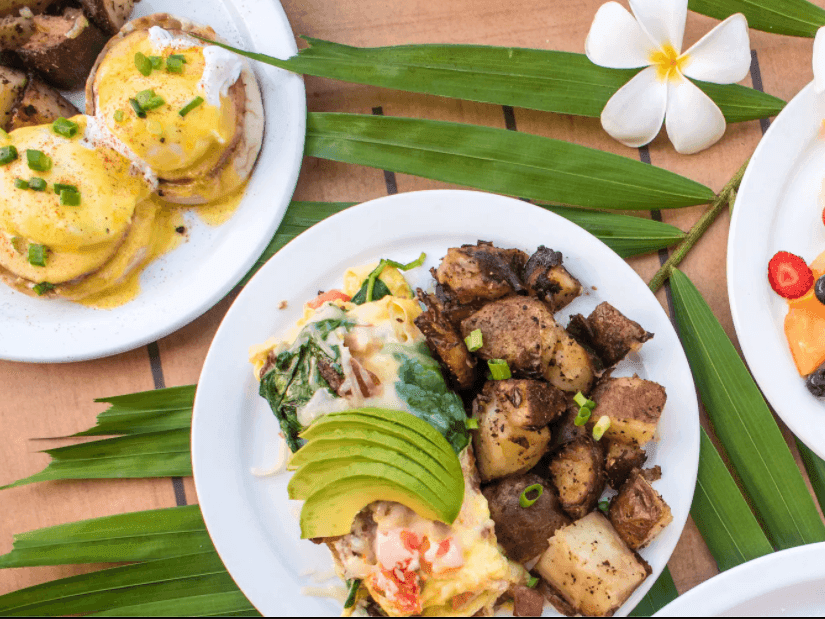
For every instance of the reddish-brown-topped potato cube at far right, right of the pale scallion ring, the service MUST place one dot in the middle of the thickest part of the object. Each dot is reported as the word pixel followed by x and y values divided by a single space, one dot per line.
pixel 634 406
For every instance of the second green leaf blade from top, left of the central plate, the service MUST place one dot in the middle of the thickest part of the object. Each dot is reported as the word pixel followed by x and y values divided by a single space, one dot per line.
pixel 155 454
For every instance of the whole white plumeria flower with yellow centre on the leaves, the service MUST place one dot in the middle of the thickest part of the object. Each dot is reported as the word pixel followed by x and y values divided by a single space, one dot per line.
pixel 661 92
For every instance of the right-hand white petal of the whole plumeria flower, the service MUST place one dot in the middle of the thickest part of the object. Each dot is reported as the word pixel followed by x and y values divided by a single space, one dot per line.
pixel 723 55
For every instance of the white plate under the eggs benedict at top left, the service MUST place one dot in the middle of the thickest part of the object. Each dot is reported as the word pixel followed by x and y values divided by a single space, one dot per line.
pixel 185 283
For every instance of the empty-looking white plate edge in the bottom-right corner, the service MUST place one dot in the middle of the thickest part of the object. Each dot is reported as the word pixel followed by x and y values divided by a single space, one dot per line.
pixel 790 583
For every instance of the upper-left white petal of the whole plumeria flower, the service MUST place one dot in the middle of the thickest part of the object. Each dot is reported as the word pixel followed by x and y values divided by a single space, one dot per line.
pixel 616 40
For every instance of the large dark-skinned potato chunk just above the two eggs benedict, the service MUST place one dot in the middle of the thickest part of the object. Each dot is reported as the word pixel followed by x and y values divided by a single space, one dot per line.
pixel 63 48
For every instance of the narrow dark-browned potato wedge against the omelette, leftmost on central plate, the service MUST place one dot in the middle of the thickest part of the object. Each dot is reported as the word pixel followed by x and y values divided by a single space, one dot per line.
pixel 445 342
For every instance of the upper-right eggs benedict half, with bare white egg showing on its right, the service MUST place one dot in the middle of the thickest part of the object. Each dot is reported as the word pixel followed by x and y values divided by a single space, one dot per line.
pixel 191 111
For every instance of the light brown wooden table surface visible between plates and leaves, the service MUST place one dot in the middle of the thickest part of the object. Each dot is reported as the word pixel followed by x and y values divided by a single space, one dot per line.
pixel 57 400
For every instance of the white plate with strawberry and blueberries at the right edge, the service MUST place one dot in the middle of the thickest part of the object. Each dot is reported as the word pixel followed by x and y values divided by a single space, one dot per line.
pixel 778 208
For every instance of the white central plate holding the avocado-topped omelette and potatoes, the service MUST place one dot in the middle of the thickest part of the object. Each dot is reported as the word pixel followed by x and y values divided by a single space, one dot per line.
pixel 252 523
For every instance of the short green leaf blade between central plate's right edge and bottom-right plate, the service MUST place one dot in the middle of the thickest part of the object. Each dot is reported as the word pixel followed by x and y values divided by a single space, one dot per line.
pixel 721 514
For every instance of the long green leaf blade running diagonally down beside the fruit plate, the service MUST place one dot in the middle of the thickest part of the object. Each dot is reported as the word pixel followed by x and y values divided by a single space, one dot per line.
pixel 744 424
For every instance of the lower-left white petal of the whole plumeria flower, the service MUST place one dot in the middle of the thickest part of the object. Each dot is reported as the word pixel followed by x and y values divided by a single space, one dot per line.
pixel 634 115
